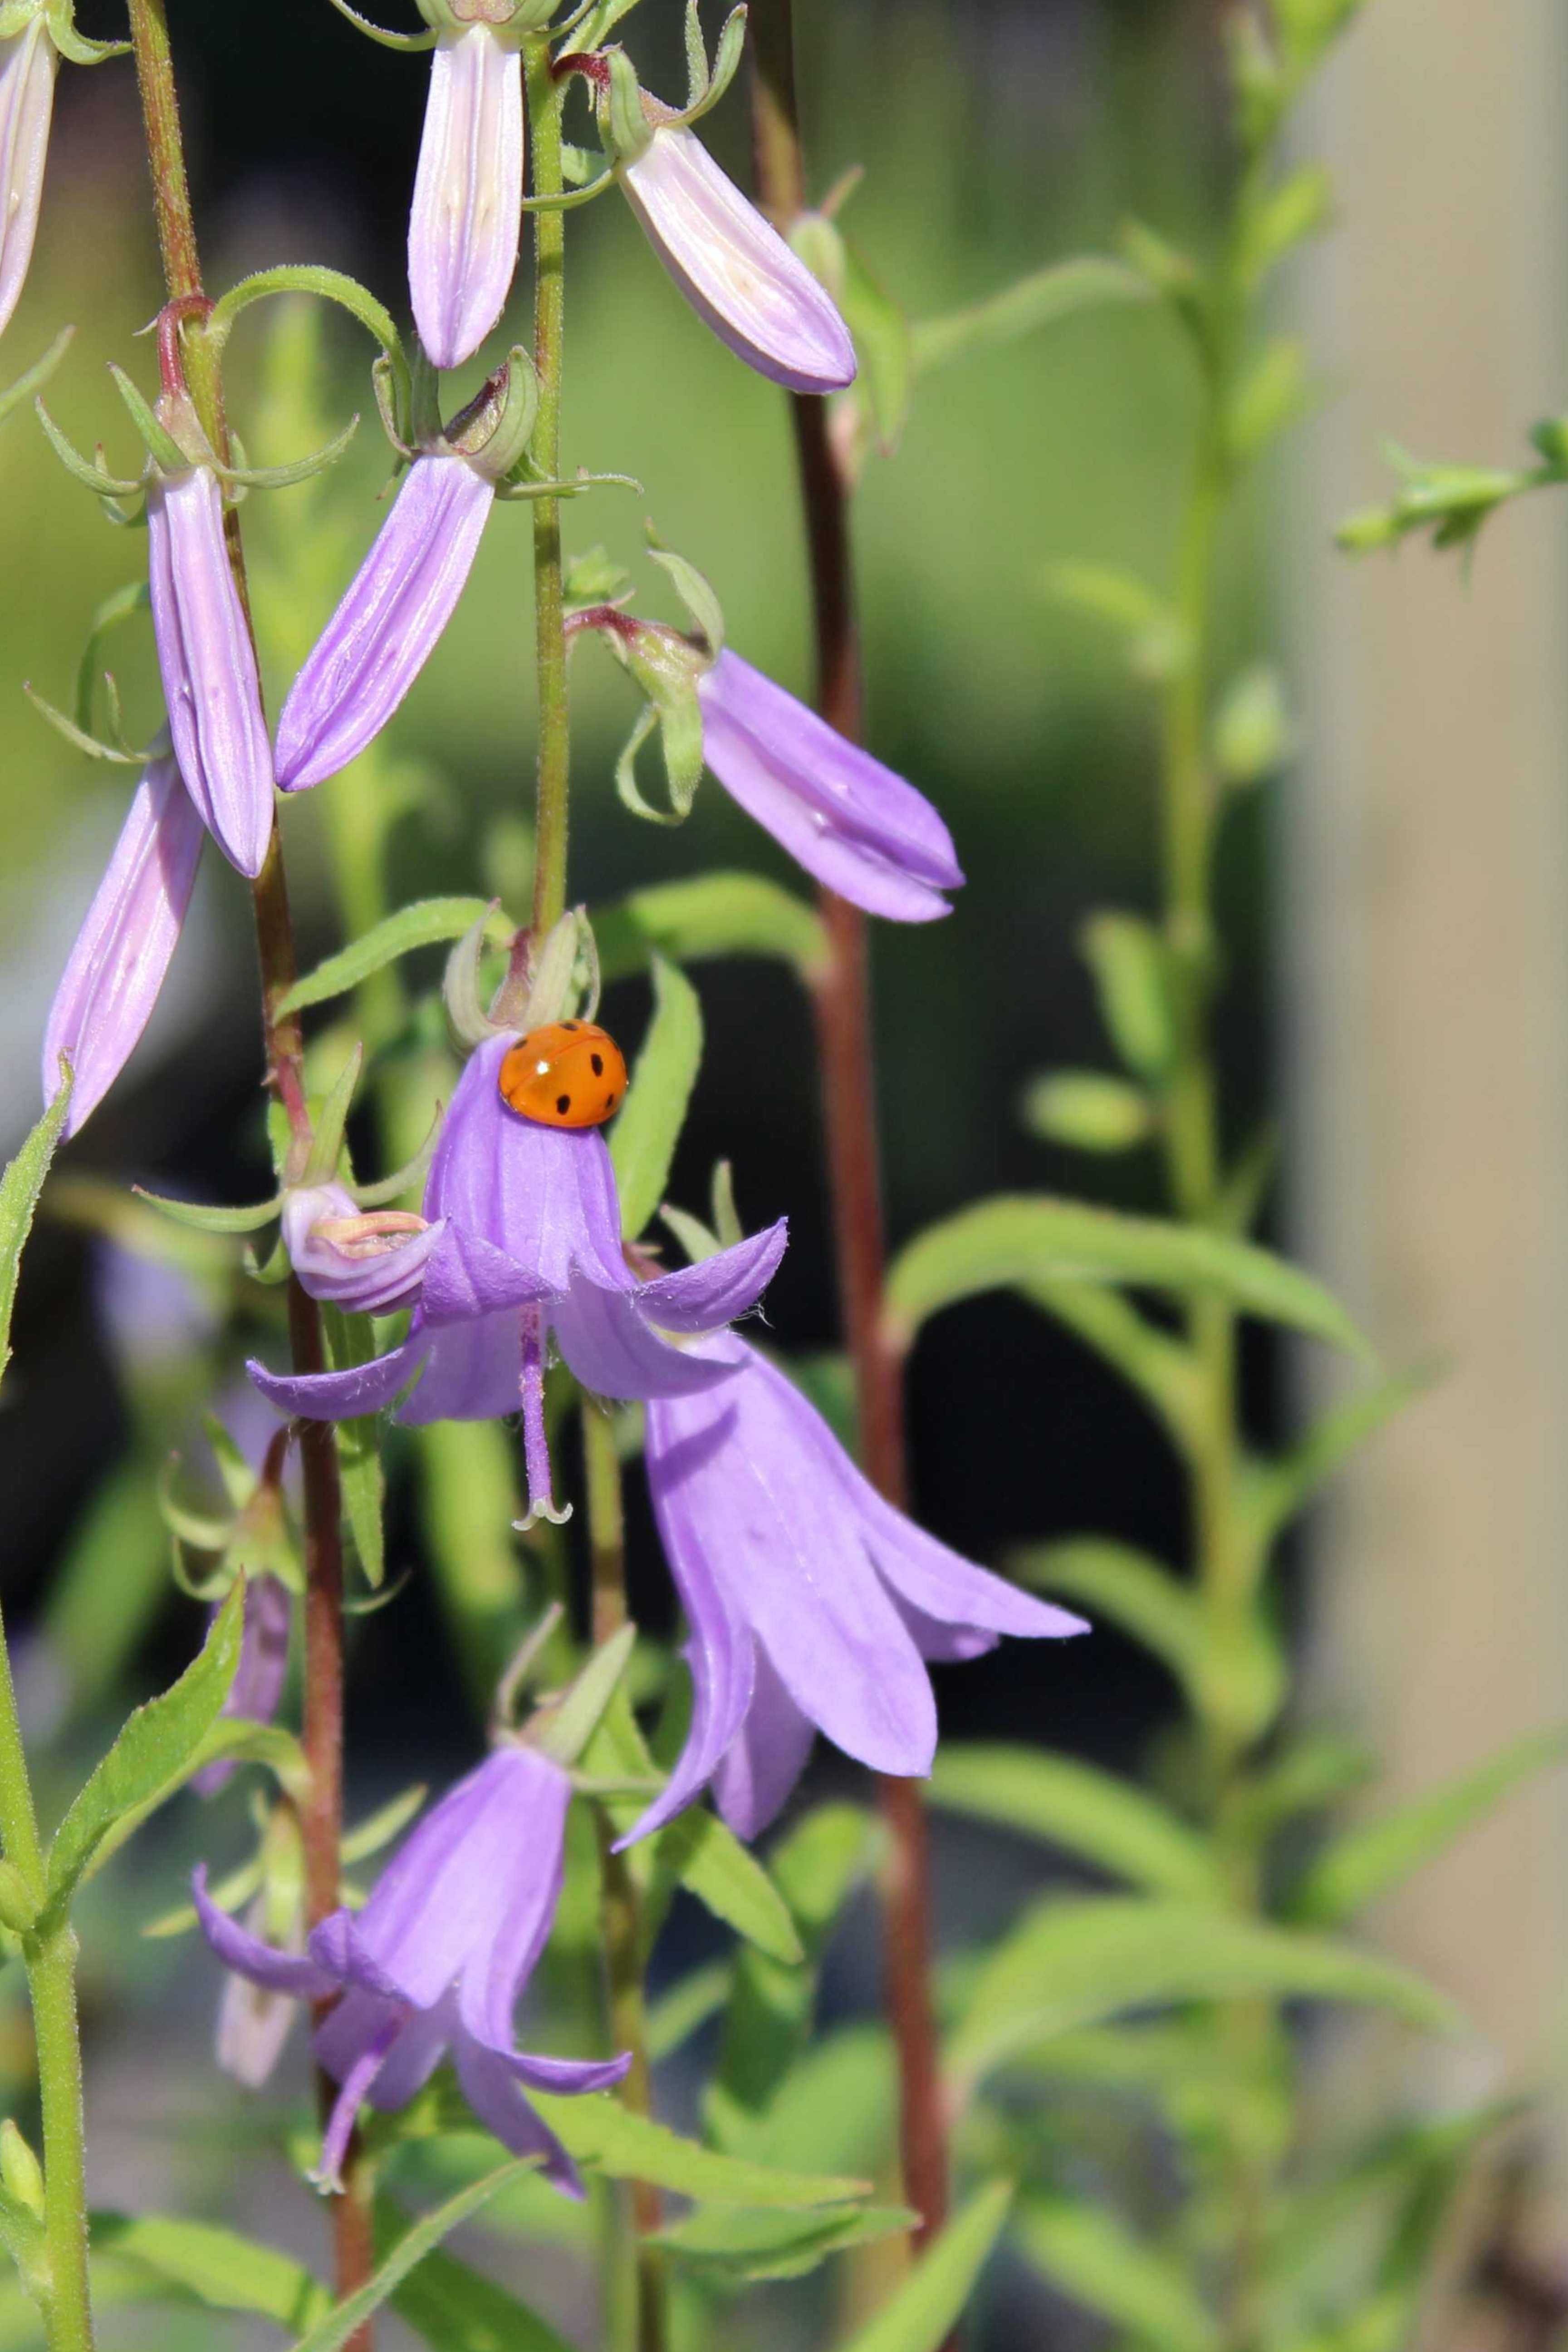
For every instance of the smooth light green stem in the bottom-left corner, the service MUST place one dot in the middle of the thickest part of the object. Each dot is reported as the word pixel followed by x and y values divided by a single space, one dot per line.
pixel 51 1963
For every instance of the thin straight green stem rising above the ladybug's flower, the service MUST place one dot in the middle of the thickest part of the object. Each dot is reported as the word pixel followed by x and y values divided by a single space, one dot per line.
pixel 547 100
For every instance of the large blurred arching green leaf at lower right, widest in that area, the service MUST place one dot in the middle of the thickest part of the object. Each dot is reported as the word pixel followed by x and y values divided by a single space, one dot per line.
pixel 1076 1963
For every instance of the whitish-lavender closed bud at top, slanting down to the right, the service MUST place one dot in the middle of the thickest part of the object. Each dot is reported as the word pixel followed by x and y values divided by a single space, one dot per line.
pixel 735 269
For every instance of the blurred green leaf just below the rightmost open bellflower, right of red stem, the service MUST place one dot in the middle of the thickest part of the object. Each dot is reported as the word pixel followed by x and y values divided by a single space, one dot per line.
pixel 1080 1808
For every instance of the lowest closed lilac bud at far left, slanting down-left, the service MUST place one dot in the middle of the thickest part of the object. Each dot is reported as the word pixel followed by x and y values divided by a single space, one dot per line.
pixel 126 944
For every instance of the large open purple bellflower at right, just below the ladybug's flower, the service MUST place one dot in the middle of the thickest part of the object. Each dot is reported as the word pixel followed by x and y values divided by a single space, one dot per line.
pixel 812 1603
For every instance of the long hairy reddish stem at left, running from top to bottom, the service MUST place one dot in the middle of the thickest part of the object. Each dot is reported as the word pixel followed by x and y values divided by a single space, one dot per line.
pixel 323 1730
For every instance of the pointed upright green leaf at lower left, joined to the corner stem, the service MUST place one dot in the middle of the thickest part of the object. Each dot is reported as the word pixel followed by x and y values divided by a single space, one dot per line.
pixel 154 1753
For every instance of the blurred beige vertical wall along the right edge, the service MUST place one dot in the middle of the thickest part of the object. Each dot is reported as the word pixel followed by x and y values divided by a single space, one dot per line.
pixel 1428 871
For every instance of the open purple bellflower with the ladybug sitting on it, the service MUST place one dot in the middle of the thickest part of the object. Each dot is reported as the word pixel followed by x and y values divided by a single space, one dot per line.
pixel 532 1245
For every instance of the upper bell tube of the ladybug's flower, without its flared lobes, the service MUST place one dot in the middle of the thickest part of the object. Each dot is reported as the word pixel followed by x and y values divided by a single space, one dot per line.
pixel 544 1196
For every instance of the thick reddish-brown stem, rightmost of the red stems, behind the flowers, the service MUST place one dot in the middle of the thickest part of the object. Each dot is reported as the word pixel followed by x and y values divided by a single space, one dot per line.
pixel 855 1161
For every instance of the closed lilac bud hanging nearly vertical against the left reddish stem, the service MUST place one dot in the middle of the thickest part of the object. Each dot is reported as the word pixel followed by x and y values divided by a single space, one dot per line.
pixel 208 664
